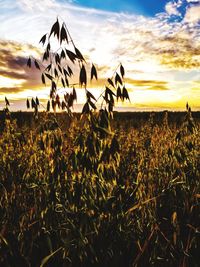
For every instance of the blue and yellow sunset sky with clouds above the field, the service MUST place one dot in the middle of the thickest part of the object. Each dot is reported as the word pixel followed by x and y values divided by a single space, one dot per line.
pixel 158 43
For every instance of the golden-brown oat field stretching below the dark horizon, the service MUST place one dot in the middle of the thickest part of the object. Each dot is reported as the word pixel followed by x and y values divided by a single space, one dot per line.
pixel 126 194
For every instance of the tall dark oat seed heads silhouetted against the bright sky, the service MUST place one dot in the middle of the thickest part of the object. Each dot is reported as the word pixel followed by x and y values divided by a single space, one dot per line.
pixel 59 66
